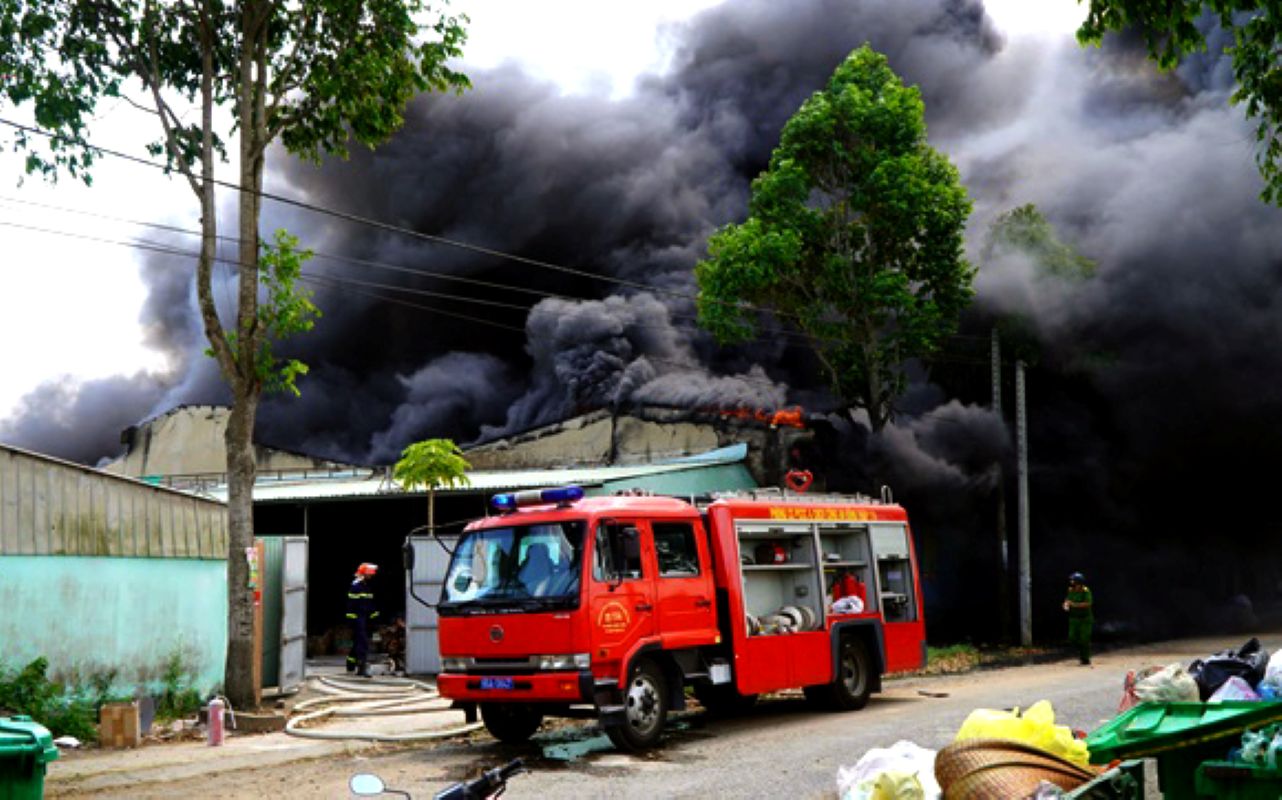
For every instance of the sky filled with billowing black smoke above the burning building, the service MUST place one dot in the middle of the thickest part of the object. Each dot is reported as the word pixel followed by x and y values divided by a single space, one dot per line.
pixel 1152 380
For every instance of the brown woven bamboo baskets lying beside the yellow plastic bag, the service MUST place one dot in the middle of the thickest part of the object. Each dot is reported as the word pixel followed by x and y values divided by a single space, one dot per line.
pixel 998 769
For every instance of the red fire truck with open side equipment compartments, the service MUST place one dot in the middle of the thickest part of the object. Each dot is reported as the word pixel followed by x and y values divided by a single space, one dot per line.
pixel 610 607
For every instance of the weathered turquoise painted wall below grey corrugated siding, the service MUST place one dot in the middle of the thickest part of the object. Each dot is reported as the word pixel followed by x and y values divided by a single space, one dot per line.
pixel 92 615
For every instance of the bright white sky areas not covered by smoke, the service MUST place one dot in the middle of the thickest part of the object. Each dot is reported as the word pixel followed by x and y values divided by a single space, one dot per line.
pixel 70 310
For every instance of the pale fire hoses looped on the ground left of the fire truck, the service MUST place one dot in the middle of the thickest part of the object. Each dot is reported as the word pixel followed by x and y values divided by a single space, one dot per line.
pixel 371 698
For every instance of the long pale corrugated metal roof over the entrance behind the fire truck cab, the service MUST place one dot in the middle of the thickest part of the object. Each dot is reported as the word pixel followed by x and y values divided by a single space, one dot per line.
pixel 483 481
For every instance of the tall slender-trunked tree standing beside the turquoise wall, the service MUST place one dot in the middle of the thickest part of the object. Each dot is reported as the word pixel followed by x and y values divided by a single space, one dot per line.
pixel 312 75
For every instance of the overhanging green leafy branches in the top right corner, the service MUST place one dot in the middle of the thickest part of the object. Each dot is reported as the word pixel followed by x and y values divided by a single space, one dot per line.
pixel 1171 30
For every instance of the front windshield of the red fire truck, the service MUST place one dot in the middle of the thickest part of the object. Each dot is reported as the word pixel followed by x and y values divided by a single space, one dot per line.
pixel 521 567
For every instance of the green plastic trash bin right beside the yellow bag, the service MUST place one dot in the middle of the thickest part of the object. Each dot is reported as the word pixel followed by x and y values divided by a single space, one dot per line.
pixel 1180 737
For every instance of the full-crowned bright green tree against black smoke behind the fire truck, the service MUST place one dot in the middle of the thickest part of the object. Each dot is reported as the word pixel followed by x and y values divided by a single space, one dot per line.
pixel 854 235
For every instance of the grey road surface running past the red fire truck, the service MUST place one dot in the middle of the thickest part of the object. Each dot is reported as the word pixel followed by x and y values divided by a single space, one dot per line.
pixel 783 749
